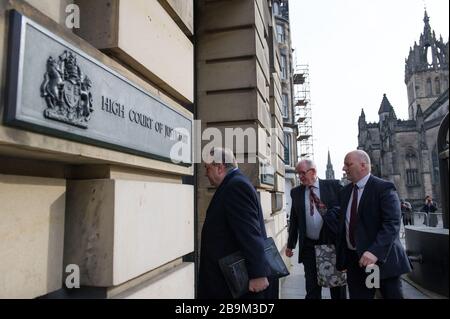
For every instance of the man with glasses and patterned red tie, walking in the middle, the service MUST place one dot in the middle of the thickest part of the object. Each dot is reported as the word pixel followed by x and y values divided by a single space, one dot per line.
pixel 309 202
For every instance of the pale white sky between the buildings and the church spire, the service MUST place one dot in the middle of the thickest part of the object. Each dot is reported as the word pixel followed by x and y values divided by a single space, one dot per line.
pixel 356 51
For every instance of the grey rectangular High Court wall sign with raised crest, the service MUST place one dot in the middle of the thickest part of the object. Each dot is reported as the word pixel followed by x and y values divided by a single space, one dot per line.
pixel 57 89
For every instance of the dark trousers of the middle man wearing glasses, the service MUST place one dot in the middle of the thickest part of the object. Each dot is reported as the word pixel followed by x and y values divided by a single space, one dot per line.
pixel 313 290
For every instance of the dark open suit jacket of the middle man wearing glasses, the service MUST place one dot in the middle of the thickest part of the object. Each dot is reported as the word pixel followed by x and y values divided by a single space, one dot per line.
pixel 329 195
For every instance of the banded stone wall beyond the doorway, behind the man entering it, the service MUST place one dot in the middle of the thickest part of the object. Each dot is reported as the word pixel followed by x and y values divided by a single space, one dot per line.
pixel 239 86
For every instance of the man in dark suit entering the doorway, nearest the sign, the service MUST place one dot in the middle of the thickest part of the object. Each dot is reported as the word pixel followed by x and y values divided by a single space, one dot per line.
pixel 234 222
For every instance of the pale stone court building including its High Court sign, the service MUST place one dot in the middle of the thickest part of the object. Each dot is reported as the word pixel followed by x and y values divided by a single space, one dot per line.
pixel 113 203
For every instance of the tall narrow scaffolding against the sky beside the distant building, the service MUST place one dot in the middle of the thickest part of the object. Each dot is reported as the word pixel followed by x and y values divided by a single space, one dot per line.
pixel 303 112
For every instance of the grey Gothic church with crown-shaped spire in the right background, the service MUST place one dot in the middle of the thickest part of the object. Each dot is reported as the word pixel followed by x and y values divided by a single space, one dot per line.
pixel 405 151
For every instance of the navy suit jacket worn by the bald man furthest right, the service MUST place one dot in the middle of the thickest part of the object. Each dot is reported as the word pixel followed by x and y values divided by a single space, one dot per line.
pixel 377 228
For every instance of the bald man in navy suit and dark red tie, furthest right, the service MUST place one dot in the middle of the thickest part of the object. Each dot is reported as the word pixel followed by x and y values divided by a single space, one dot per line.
pixel 369 232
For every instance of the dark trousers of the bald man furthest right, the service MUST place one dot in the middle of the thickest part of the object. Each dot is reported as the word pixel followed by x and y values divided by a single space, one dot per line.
pixel 390 288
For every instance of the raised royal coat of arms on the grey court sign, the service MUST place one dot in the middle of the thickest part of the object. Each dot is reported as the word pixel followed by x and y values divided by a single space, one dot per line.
pixel 67 91
